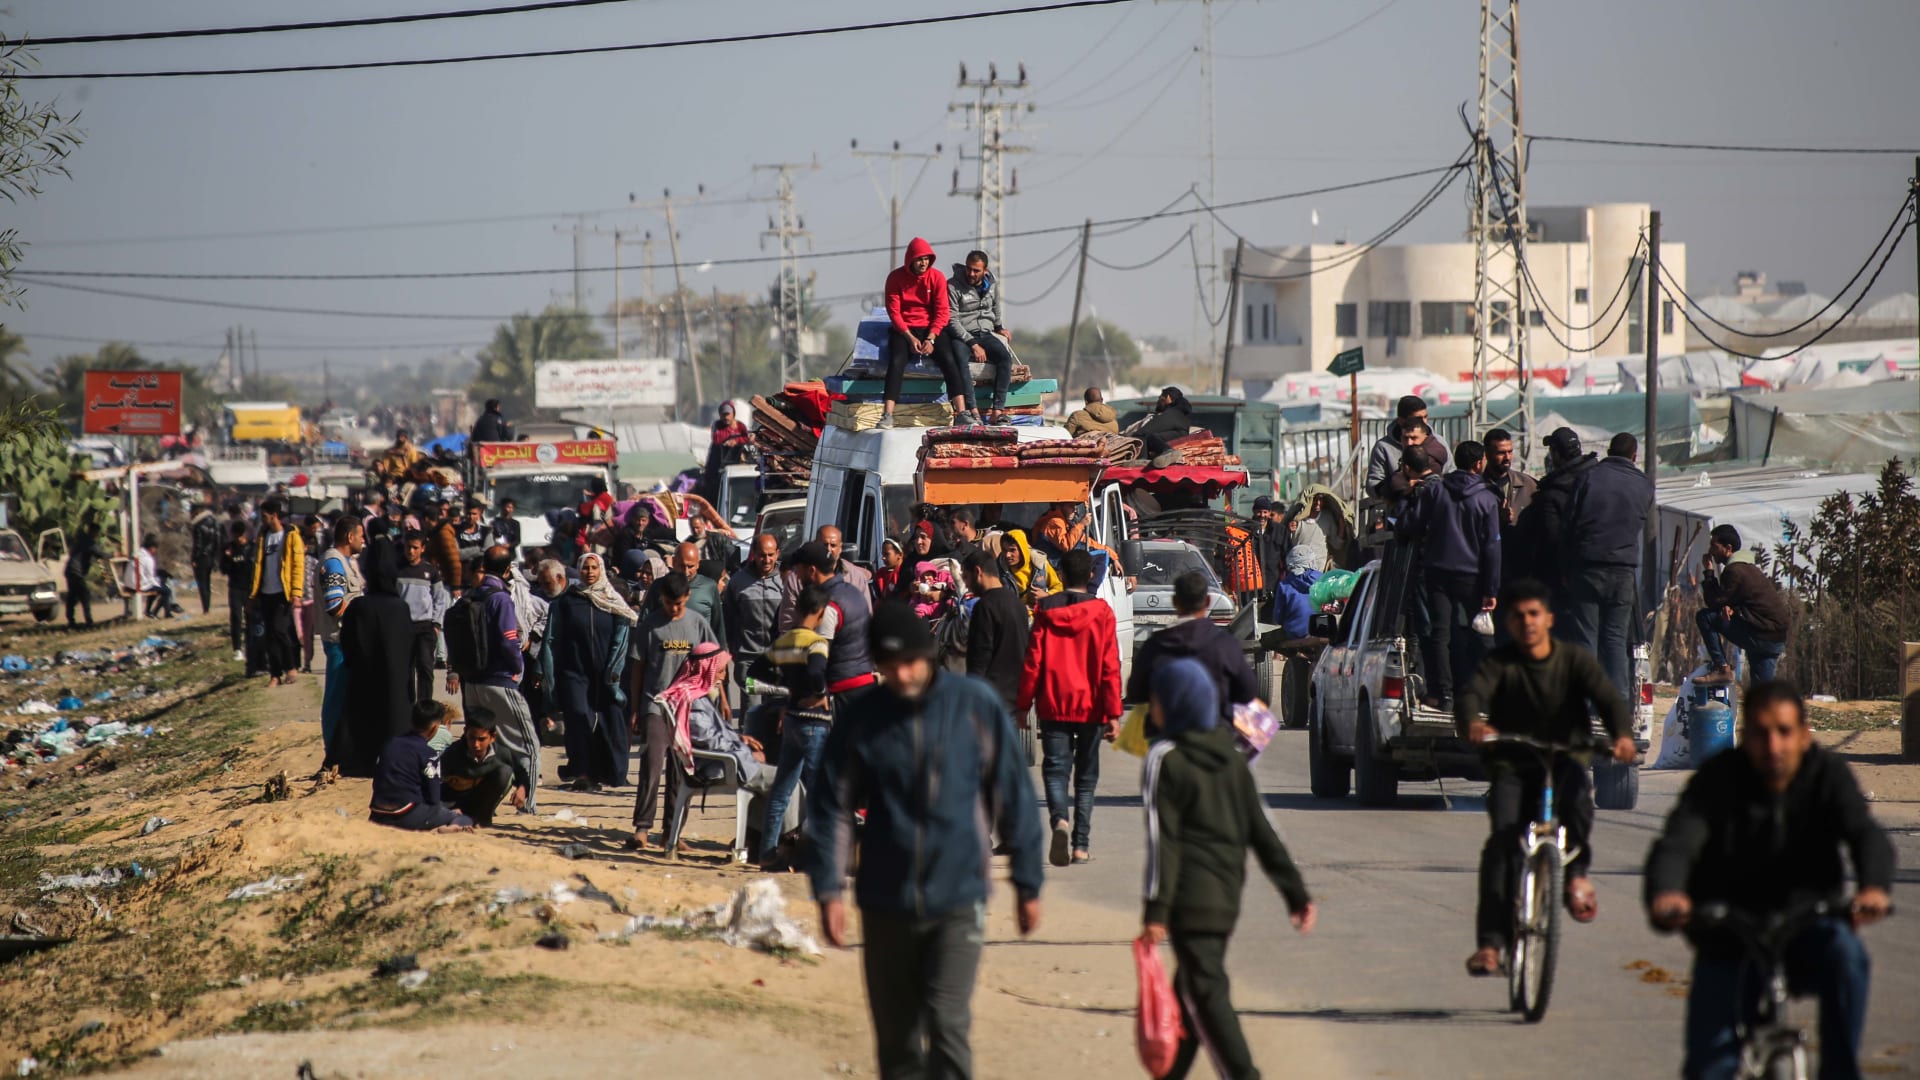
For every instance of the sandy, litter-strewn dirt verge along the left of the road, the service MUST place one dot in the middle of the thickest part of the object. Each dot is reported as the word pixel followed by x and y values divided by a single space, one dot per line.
pixel 168 977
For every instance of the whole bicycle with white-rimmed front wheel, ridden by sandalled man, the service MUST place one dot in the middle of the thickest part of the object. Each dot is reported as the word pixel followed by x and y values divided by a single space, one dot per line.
pixel 1537 910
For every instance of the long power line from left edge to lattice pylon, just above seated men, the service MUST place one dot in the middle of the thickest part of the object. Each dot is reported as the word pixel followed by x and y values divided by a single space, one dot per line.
pixel 1115 228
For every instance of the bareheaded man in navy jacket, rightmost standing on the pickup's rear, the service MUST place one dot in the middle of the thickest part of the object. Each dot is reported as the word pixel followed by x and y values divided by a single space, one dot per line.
pixel 1608 526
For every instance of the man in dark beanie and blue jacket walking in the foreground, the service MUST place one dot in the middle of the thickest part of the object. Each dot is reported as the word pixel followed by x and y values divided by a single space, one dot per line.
pixel 934 760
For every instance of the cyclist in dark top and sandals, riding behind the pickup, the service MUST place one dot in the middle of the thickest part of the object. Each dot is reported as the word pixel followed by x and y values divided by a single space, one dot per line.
pixel 1535 687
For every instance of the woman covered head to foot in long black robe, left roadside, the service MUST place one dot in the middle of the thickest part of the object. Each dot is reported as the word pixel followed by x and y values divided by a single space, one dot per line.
pixel 377 639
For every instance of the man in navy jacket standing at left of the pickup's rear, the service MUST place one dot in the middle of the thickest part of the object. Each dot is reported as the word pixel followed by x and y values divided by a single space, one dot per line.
pixel 1456 526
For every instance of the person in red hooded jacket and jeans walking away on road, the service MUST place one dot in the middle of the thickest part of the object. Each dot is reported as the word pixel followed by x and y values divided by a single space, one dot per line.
pixel 1072 681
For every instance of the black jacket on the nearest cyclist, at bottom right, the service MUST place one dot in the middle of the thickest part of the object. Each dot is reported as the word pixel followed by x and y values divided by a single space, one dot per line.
pixel 1737 843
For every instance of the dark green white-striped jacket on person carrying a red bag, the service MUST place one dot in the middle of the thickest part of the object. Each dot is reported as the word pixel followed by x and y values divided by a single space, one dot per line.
pixel 1203 814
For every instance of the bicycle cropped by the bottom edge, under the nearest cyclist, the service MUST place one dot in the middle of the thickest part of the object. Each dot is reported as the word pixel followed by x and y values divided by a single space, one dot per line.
pixel 1771 1048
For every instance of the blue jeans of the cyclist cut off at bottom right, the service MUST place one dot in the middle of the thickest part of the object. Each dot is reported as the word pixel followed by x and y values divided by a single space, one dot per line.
pixel 1827 962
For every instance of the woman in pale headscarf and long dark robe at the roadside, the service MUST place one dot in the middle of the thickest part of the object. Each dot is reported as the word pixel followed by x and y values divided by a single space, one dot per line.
pixel 583 666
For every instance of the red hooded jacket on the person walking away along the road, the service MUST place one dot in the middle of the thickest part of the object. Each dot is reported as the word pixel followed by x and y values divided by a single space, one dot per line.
pixel 1072 670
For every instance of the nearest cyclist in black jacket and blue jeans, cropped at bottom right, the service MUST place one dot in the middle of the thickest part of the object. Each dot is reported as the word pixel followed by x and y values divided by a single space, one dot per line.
pixel 1760 831
